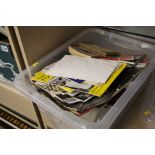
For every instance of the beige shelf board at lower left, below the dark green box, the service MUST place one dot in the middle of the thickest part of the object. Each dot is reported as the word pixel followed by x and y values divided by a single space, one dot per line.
pixel 13 99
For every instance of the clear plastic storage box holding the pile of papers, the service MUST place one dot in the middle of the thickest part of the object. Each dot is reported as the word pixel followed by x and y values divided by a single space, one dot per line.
pixel 103 117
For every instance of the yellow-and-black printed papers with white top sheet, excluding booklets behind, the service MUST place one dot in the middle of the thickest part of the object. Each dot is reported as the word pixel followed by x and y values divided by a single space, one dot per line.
pixel 74 80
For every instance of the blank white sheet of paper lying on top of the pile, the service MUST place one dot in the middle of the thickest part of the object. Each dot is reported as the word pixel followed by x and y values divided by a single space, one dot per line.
pixel 89 69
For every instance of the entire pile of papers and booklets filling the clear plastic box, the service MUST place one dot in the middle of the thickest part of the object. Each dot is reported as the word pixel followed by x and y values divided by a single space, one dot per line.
pixel 88 77
